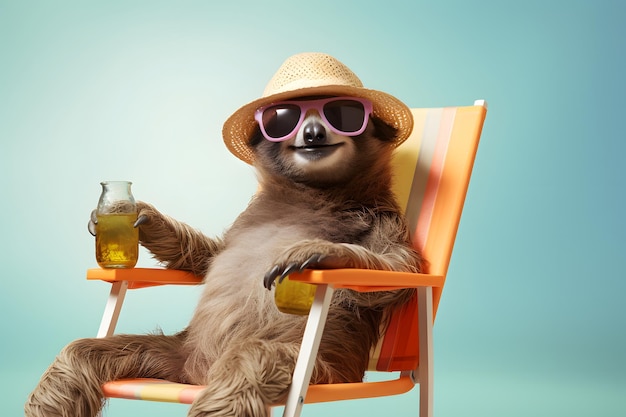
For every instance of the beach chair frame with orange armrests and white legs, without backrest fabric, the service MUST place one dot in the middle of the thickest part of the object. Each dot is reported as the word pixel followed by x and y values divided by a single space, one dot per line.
pixel 428 288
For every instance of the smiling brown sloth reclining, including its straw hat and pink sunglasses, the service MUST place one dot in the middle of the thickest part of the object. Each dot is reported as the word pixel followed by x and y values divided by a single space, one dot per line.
pixel 322 153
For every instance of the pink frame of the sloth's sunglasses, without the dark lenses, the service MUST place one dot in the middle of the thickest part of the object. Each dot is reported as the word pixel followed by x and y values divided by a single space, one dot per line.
pixel 318 105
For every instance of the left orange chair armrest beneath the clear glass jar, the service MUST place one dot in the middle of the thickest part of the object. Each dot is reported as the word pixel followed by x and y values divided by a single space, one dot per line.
pixel 144 277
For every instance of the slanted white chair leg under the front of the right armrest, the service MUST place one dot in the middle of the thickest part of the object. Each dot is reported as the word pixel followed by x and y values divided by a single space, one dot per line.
pixel 308 351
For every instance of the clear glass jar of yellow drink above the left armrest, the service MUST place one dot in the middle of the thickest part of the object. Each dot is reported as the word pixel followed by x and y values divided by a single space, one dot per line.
pixel 117 240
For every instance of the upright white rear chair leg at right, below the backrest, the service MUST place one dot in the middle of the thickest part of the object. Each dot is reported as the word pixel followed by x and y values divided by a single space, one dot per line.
pixel 425 369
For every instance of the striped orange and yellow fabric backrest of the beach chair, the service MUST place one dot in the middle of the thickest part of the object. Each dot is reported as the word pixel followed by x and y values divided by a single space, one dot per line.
pixel 432 173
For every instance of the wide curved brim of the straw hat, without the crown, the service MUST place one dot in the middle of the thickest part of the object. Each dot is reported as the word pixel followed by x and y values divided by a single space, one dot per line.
pixel 240 126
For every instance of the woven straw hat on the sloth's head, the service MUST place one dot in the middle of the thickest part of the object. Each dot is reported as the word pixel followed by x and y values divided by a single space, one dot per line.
pixel 309 74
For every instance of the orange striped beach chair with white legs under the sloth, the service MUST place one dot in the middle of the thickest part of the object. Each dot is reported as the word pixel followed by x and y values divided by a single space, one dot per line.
pixel 433 169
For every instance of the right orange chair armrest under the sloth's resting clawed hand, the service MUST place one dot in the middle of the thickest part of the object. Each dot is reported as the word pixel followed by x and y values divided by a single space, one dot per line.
pixel 368 280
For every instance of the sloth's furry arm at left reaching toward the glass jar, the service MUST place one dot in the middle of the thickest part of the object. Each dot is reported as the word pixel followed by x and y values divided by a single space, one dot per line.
pixel 175 244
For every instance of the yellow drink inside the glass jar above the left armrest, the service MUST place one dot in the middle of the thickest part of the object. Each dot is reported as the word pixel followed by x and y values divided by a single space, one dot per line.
pixel 117 241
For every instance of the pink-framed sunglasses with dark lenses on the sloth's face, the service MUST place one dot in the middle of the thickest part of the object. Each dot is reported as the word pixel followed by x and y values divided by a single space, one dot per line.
pixel 344 115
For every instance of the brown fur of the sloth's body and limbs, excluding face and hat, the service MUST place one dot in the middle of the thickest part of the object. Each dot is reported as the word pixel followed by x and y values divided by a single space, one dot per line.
pixel 237 342
